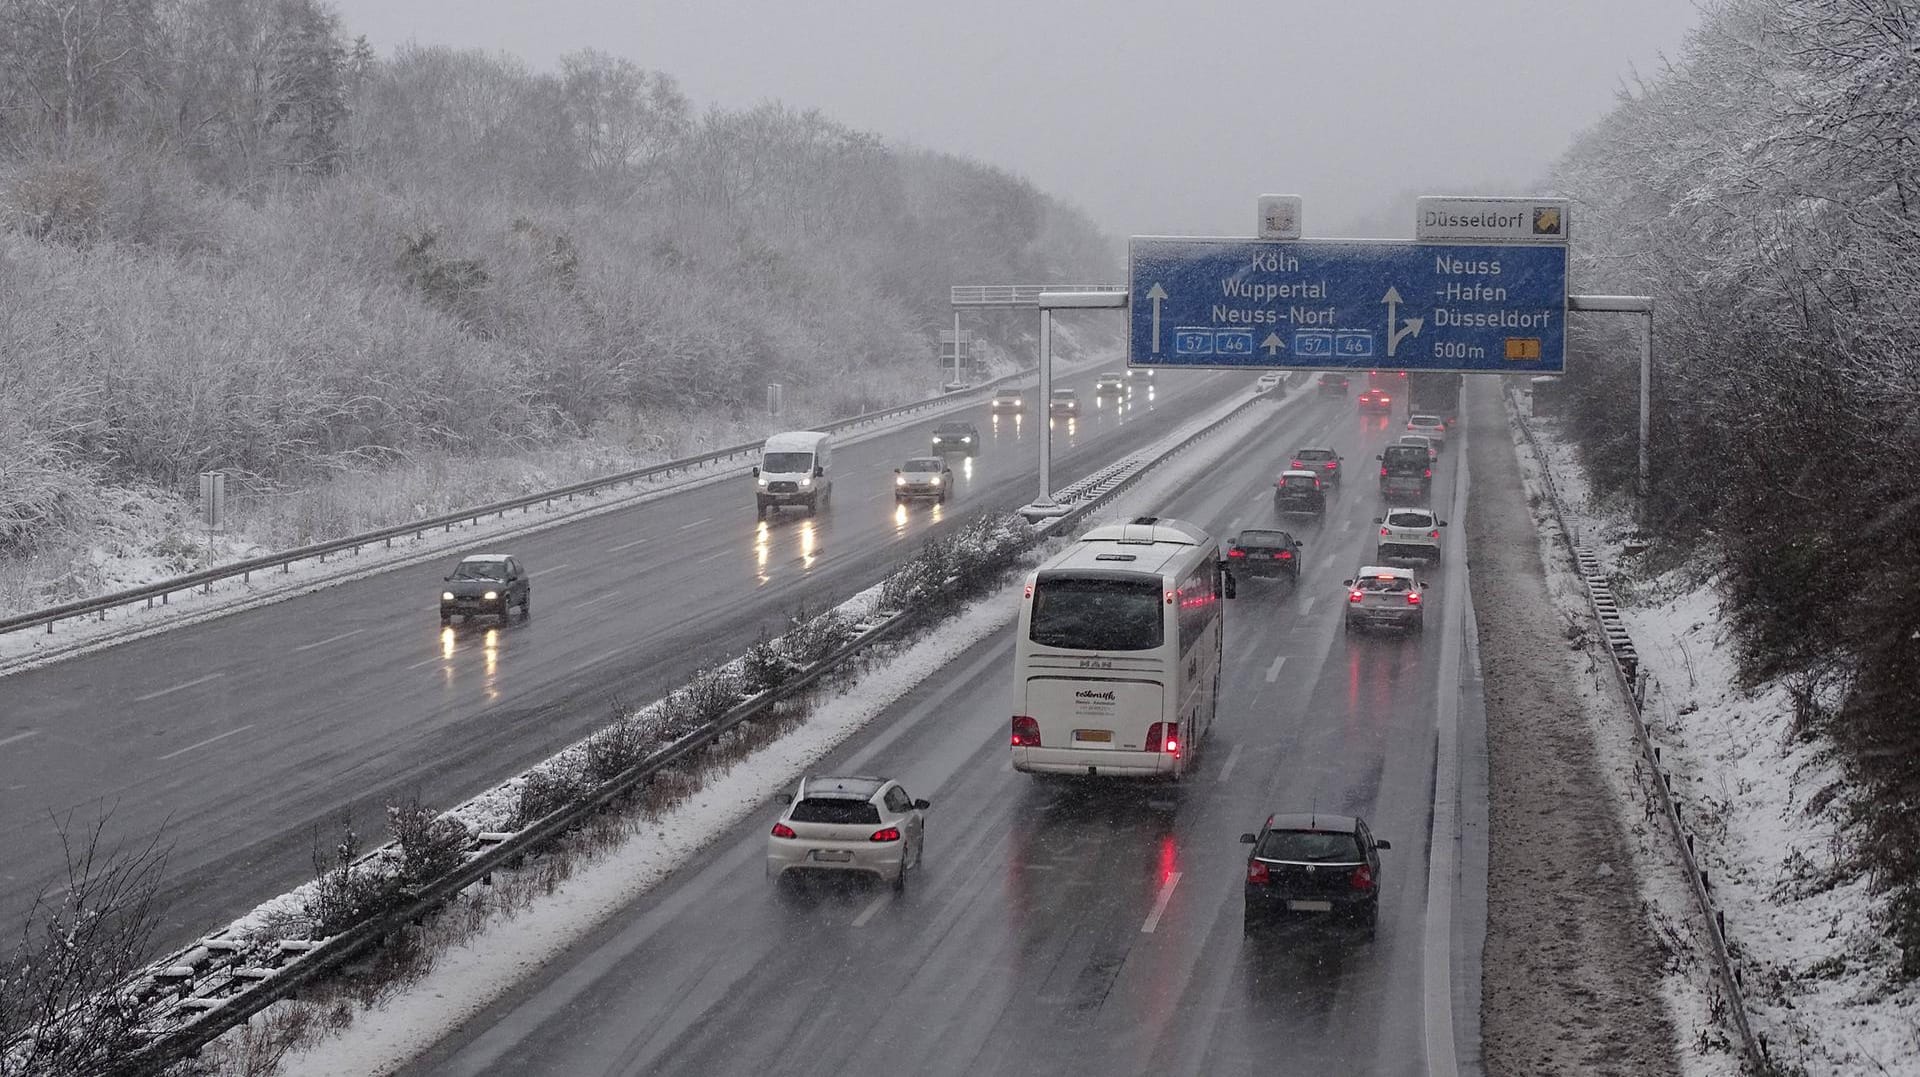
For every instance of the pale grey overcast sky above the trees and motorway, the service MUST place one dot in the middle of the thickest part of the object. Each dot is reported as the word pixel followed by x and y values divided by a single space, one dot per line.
pixel 1157 118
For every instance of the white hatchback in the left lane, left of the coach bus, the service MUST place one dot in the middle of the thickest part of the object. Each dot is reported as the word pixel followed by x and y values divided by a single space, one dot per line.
pixel 850 825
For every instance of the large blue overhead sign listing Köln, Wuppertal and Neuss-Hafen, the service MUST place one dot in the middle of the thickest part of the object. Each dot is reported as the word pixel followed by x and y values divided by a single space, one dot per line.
pixel 1347 304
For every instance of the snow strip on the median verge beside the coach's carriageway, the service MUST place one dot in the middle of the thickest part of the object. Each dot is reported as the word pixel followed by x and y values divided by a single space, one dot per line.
pixel 473 974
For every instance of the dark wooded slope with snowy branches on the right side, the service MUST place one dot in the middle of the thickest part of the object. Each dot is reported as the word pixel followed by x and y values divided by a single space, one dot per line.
pixel 1767 193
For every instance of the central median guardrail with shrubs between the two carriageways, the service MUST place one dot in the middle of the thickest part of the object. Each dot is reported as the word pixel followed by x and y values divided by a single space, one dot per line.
pixel 216 984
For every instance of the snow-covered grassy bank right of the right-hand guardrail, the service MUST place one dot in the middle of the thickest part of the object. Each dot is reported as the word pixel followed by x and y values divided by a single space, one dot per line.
pixel 1815 959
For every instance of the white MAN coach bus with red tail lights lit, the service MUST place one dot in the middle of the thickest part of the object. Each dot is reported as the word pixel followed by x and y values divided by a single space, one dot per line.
pixel 1116 671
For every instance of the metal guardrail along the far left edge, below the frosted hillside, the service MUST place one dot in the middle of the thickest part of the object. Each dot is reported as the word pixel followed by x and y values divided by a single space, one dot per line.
pixel 287 558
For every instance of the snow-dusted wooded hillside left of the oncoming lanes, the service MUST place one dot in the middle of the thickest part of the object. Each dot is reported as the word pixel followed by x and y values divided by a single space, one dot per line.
pixel 231 237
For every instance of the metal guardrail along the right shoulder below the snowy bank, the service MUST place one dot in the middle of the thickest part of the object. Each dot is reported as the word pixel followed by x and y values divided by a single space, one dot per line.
pixel 1633 682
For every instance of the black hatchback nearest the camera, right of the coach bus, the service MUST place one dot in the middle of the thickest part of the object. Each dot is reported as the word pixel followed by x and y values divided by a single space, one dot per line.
pixel 1314 867
